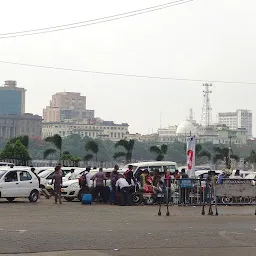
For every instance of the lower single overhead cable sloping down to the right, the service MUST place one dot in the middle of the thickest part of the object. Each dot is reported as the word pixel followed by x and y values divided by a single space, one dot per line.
pixel 127 75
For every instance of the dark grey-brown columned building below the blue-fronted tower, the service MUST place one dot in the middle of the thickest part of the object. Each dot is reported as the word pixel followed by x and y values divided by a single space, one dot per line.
pixel 12 126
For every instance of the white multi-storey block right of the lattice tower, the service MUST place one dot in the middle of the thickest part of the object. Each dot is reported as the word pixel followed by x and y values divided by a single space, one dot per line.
pixel 241 119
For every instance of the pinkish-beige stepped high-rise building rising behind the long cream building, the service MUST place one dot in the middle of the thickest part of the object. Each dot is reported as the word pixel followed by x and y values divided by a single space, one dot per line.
pixel 67 106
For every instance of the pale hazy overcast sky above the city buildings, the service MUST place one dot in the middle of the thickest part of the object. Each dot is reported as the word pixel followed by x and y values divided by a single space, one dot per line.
pixel 202 39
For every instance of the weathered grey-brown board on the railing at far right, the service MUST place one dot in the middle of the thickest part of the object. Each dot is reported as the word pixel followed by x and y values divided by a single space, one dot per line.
pixel 236 188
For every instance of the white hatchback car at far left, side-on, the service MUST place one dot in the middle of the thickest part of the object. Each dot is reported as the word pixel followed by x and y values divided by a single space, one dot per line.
pixel 18 183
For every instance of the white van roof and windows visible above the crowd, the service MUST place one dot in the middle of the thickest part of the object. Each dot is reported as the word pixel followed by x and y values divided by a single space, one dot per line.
pixel 160 166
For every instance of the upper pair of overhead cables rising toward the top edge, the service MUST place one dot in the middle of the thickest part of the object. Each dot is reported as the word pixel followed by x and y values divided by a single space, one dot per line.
pixel 93 21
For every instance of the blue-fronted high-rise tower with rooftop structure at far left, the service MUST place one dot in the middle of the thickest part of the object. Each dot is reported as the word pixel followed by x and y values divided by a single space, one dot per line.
pixel 12 99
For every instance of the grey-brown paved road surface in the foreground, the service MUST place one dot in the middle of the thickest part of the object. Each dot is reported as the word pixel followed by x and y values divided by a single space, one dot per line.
pixel 97 230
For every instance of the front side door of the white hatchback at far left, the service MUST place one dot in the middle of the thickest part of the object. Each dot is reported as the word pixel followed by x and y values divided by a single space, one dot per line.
pixel 10 184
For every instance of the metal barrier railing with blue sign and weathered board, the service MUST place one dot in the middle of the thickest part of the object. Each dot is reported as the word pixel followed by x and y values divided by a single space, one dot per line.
pixel 199 192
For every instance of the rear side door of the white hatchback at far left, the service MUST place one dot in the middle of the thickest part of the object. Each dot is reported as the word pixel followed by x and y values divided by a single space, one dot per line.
pixel 26 183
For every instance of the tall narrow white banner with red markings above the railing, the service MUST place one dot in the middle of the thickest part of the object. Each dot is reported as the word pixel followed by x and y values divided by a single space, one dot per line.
pixel 191 155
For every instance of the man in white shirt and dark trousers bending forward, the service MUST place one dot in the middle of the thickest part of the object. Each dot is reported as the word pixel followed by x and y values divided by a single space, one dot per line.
pixel 125 189
